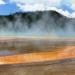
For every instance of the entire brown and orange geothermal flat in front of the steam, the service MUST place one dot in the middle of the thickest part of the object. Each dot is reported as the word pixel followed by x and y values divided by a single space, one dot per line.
pixel 37 56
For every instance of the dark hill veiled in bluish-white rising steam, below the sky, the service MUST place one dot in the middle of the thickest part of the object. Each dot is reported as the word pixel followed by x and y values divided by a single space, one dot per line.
pixel 37 23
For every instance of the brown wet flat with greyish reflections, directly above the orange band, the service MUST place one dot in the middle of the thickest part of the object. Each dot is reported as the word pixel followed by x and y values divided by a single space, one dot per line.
pixel 18 46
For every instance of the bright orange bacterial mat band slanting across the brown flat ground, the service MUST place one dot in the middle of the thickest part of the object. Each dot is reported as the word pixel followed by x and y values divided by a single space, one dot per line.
pixel 68 52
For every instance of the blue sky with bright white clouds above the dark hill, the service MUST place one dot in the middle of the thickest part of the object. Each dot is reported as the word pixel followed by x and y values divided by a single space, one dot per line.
pixel 65 7
